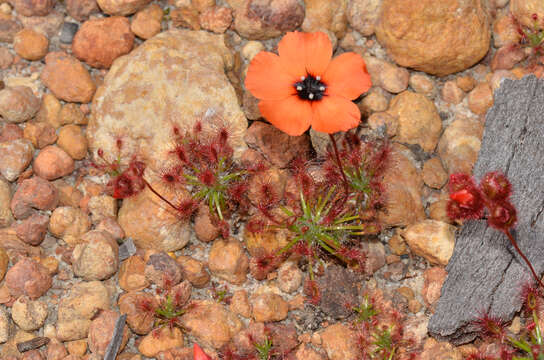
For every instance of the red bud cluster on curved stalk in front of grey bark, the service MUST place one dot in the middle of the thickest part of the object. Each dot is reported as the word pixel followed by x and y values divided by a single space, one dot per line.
pixel 470 201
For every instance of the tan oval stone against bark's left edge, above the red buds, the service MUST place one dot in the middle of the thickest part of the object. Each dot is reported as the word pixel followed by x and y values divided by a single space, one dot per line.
pixel 459 145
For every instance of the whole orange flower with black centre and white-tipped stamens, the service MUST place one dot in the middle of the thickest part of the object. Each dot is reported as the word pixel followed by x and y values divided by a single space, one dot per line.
pixel 304 87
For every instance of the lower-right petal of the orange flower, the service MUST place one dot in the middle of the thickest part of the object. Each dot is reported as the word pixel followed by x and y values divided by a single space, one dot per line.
pixel 334 113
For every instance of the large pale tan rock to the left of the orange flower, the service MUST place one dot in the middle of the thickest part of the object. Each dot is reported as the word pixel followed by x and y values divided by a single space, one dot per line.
pixel 196 89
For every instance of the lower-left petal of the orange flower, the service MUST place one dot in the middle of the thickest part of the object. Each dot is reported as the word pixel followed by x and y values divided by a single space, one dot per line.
pixel 292 115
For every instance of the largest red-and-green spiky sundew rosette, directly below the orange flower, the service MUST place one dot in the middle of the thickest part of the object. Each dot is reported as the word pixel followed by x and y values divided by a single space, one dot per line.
pixel 321 213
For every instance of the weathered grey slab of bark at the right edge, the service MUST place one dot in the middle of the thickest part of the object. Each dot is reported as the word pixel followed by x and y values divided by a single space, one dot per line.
pixel 485 274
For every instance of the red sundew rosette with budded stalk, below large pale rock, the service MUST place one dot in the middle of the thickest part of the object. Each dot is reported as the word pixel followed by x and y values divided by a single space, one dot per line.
pixel 199 161
